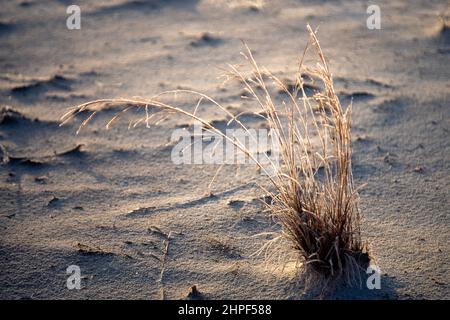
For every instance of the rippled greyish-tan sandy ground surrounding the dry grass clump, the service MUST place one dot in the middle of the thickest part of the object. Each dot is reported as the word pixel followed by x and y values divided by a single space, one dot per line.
pixel 106 200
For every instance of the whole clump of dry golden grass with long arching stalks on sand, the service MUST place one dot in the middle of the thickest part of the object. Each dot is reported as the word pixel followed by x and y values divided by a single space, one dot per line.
pixel 315 200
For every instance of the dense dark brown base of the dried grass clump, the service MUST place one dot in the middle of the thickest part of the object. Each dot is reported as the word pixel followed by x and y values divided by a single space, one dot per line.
pixel 322 248
